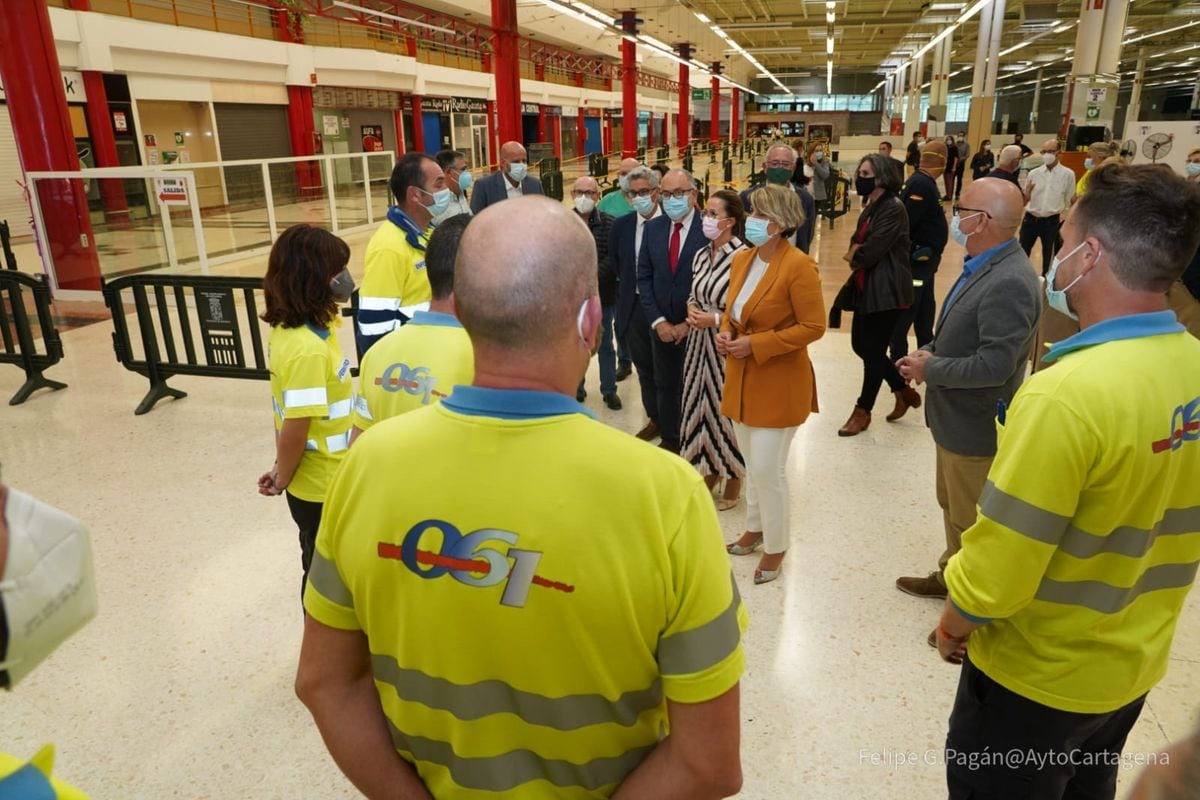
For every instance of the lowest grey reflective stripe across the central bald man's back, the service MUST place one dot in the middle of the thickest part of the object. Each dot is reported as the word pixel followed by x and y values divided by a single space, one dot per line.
pixel 507 772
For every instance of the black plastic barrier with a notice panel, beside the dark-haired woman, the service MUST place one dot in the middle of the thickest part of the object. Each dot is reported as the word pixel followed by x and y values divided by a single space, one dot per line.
pixel 212 302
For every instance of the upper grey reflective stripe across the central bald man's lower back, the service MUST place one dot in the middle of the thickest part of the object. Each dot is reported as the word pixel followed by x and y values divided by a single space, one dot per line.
pixel 477 701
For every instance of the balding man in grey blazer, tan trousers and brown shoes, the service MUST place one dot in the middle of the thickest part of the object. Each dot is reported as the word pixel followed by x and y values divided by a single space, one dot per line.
pixel 977 359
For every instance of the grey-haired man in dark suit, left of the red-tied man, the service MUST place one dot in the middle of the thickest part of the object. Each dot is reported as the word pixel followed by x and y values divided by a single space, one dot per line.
pixel 633 328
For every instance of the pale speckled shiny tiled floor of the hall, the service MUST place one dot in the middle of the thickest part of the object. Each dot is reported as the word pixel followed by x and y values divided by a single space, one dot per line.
pixel 183 685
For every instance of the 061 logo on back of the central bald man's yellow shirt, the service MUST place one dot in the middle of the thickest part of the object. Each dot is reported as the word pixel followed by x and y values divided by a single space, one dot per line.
pixel 469 562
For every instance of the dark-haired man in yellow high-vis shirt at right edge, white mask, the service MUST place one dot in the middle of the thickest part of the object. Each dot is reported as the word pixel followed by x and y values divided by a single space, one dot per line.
pixel 1066 594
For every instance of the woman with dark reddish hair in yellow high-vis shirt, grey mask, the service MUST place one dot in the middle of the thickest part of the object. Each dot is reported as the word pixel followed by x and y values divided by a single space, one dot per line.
pixel 307 278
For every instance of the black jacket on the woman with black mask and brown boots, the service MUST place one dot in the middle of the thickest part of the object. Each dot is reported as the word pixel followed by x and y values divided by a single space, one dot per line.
pixel 883 257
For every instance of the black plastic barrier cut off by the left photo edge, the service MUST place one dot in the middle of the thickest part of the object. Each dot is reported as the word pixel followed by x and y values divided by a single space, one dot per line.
pixel 17 334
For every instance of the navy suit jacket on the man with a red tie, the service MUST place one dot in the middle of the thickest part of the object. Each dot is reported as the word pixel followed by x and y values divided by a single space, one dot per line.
pixel 662 293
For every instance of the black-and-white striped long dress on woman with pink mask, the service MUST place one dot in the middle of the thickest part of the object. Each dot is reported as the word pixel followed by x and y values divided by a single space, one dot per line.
pixel 706 438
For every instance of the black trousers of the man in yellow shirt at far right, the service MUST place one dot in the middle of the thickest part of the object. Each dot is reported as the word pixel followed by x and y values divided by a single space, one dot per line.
pixel 1046 754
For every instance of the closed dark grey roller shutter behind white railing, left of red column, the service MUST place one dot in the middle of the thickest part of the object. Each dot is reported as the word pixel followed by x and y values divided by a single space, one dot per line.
pixel 250 131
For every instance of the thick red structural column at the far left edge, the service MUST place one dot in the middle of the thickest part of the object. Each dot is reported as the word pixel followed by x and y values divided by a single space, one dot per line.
pixel 41 123
